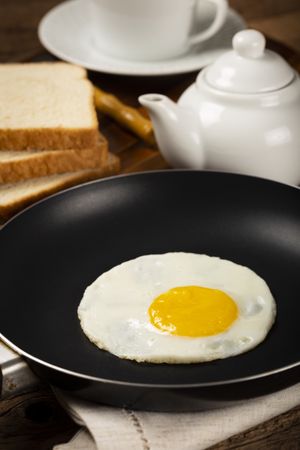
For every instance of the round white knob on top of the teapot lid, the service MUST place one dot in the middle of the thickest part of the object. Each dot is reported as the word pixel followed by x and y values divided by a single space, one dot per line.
pixel 249 43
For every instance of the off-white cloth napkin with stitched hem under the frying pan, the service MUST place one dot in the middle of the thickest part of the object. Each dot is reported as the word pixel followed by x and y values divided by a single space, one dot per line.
pixel 107 428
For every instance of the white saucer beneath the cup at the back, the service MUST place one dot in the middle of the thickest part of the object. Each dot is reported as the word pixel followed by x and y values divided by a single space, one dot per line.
pixel 65 32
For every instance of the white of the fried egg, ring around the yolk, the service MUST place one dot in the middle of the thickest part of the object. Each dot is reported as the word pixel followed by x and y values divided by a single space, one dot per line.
pixel 114 309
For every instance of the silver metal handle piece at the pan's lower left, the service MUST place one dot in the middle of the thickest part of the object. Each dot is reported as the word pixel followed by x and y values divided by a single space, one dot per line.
pixel 15 375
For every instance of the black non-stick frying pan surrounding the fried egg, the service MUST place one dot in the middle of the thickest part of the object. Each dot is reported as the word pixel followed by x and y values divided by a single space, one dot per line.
pixel 53 250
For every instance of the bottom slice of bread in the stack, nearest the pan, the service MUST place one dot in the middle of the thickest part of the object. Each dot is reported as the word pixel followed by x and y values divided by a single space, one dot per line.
pixel 16 196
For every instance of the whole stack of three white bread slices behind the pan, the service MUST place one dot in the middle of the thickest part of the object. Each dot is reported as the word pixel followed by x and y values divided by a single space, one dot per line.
pixel 49 133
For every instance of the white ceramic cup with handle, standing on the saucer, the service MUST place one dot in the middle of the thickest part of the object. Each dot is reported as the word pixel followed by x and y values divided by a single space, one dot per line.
pixel 149 30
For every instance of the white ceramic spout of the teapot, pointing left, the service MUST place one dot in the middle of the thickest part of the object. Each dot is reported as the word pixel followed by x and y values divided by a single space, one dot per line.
pixel 176 131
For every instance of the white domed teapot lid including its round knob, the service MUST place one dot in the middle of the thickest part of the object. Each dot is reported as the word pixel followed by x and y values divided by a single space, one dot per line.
pixel 249 68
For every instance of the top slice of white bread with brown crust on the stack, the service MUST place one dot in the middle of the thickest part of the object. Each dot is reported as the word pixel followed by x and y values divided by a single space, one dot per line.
pixel 45 106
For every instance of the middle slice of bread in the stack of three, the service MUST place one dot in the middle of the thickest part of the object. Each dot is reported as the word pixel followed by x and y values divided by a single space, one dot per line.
pixel 23 165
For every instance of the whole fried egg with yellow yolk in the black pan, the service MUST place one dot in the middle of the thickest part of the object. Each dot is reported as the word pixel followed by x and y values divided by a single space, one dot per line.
pixel 177 308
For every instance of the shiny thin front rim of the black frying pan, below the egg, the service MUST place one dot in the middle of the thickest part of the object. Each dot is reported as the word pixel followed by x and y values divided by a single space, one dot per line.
pixel 146 385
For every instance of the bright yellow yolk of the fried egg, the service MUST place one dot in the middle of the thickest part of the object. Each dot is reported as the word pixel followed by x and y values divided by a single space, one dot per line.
pixel 193 311
